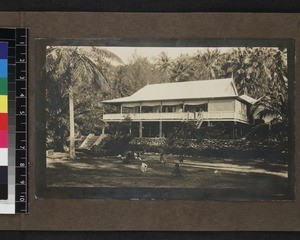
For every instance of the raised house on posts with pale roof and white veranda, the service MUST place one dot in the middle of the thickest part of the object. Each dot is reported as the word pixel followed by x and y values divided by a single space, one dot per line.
pixel 154 109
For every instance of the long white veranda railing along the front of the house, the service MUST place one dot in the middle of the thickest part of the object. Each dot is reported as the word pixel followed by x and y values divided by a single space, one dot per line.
pixel 176 116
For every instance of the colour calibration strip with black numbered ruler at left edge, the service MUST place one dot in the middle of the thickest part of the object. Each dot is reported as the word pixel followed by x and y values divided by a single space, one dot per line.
pixel 14 100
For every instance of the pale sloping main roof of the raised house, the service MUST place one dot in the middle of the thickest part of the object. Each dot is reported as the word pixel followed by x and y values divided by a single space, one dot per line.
pixel 203 89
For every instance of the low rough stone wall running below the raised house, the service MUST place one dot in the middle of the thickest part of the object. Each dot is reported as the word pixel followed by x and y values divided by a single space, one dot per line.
pixel 217 148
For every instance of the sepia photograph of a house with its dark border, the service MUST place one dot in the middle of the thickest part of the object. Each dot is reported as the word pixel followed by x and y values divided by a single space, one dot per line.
pixel 166 119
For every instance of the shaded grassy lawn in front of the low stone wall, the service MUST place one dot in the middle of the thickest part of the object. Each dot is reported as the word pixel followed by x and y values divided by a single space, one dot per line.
pixel 197 172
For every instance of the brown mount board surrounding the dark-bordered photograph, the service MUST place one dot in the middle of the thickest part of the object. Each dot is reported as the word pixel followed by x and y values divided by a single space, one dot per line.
pixel 92 214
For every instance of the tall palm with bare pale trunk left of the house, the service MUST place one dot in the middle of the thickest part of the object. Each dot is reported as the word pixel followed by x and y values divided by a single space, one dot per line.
pixel 74 68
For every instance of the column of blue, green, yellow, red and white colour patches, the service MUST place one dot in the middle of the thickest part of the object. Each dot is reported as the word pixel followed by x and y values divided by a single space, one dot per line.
pixel 3 120
